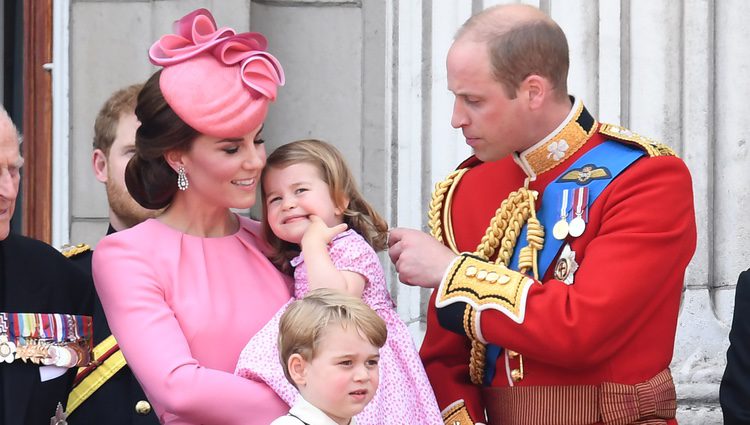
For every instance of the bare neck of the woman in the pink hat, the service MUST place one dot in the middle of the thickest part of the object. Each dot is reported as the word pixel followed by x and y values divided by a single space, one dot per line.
pixel 199 220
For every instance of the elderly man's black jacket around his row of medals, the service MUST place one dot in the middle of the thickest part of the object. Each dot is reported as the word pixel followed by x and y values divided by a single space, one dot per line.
pixel 36 278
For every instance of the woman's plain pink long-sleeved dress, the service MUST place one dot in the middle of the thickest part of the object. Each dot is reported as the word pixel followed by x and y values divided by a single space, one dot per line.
pixel 182 308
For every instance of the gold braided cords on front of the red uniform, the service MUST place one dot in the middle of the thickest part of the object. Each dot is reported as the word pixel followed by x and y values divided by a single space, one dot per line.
pixel 501 236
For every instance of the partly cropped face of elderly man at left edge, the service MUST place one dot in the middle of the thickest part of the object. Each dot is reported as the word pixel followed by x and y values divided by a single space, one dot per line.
pixel 10 167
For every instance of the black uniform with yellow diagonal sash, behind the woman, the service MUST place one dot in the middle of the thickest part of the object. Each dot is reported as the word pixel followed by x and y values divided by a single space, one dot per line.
pixel 114 402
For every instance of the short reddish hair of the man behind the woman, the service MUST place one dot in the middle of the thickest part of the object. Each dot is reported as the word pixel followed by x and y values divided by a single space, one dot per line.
pixel 121 102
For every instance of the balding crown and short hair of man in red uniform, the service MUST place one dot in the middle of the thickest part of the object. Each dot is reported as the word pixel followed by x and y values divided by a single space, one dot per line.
pixel 520 49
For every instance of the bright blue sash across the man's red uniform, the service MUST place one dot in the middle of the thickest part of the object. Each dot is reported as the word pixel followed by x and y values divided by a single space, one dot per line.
pixel 612 155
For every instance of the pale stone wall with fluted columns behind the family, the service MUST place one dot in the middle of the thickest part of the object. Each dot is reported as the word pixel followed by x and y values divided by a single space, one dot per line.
pixel 369 76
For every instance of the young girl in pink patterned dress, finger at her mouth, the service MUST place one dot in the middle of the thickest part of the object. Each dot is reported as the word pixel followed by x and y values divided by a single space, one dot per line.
pixel 309 199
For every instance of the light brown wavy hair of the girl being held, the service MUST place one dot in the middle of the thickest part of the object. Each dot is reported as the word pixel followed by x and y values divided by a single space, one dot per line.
pixel 358 215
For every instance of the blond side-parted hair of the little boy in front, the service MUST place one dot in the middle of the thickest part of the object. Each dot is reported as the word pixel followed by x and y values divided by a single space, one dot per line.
pixel 303 324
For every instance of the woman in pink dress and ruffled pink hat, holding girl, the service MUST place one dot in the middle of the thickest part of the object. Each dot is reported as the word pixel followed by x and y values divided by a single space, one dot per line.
pixel 185 291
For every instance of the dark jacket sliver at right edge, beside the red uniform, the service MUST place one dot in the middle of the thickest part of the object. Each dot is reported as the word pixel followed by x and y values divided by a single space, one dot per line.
pixel 734 393
